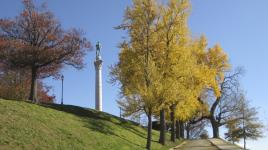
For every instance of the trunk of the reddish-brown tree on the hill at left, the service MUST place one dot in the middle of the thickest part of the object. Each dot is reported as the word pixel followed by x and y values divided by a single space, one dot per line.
pixel 33 92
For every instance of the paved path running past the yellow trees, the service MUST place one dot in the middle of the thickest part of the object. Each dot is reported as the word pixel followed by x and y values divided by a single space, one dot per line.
pixel 209 144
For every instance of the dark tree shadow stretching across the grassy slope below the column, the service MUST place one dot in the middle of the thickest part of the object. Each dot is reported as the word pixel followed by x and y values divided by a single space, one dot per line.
pixel 96 121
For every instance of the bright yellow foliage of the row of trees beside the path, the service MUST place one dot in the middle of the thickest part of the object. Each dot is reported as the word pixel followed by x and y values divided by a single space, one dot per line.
pixel 161 63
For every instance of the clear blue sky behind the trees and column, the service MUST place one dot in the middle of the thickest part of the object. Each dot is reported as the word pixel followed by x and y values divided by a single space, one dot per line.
pixel 240 26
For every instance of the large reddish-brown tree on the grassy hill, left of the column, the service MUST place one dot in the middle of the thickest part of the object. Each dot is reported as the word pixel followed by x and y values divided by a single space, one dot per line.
pixel 36 41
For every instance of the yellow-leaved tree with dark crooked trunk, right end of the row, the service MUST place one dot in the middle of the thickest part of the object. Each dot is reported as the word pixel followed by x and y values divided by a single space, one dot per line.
pixel 214 64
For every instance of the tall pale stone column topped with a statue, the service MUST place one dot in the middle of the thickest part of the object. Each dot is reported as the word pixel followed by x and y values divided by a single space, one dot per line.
pixel 98 80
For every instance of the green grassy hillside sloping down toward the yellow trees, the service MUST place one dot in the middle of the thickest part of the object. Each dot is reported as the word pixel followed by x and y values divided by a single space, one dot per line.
pixel 29 126
